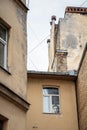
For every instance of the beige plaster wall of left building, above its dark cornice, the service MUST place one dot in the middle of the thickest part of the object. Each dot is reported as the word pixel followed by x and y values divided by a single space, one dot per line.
pixel 15 16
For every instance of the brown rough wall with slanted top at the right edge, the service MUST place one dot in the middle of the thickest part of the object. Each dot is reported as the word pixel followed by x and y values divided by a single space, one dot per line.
pixel 82 91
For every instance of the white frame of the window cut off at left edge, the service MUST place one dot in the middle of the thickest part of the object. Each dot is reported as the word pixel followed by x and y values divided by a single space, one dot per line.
pixel 4 43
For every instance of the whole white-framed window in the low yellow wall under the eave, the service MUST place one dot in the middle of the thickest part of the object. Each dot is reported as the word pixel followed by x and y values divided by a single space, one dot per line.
pixel 51 102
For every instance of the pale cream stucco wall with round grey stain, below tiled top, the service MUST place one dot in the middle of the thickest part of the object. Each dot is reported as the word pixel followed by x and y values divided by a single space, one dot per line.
pixel 73 38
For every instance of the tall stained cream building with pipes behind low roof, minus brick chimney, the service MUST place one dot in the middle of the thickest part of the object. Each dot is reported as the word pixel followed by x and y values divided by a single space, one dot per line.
pixel 68 35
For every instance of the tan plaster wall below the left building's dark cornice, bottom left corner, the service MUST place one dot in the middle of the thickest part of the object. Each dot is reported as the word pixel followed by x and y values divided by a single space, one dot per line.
pixel 15 116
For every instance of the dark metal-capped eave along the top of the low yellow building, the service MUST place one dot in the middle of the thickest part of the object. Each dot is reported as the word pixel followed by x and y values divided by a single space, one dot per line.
pixel 70 75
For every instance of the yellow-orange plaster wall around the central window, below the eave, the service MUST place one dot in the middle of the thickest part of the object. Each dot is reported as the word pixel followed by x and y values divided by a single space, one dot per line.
pixel 66 120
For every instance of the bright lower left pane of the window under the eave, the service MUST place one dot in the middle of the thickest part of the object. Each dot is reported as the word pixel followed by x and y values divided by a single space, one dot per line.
pixel 46 104
